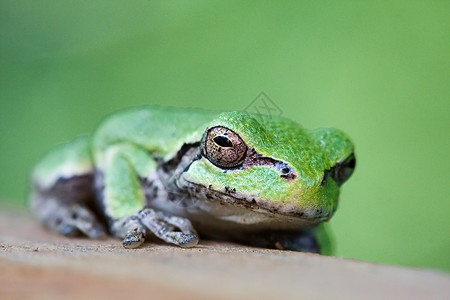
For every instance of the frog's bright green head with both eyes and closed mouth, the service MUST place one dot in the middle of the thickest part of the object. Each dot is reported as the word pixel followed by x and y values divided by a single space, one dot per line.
pixel 273 164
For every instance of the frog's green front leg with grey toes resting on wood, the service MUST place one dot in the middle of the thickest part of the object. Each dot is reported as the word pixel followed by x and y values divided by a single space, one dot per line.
pixel 124 200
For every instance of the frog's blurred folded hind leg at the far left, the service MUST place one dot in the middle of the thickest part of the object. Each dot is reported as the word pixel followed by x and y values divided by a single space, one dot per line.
pixel 62 190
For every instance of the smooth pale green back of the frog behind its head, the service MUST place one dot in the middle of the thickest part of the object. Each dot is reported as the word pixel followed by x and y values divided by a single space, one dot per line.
pixel 160 130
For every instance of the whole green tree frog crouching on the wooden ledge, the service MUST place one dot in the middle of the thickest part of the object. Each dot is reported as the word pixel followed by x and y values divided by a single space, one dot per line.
pixel 179 173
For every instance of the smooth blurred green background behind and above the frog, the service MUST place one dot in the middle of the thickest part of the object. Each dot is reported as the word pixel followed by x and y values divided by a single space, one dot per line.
pixel 376 69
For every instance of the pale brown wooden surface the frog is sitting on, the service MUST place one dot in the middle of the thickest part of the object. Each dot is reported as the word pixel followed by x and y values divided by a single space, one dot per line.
pixel 36 264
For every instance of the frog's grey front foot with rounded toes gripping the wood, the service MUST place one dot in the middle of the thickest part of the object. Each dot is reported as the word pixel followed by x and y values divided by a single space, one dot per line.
pixel 171 229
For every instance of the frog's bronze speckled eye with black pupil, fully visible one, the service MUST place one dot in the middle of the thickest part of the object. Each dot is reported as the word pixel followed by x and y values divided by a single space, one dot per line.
pixel 224 148
